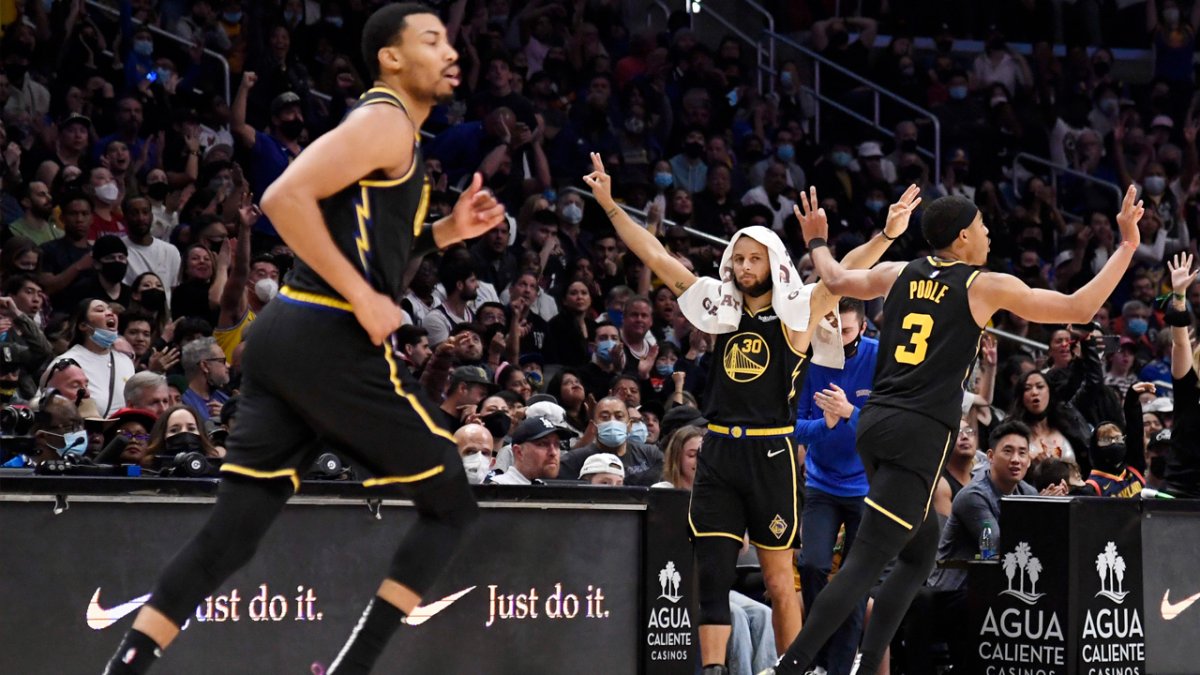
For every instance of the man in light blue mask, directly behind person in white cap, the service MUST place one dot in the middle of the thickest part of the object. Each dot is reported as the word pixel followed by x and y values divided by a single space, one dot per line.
pixel 609 433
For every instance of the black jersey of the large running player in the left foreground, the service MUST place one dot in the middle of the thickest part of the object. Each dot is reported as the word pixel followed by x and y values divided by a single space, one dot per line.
pixel 375 222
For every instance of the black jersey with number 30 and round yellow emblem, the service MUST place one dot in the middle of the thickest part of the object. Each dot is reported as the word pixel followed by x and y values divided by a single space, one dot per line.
pixel 755 375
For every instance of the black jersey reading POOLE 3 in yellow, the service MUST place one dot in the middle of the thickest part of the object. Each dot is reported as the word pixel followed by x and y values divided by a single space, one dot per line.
pixel 928 342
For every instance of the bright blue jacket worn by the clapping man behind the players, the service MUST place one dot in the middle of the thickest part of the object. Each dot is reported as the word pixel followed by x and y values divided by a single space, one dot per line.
pixel 832 463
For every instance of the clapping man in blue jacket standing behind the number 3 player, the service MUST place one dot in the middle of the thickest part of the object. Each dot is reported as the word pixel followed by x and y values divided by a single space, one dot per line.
pixel 836 482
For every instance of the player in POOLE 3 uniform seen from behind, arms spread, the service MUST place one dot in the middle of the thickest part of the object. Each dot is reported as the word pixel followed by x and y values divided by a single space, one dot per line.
pixel 933 319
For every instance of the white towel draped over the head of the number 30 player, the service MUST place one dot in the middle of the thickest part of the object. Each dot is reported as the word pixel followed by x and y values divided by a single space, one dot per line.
pixel 715 306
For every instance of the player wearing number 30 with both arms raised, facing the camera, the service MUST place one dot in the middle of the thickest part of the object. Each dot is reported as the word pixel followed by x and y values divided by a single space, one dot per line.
pixel 747 476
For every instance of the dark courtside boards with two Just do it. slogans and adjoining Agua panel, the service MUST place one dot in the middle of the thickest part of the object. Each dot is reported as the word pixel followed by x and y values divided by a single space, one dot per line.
pixel 536 590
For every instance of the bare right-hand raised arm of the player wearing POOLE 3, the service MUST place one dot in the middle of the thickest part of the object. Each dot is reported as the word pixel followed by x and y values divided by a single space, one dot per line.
pixel 1006 292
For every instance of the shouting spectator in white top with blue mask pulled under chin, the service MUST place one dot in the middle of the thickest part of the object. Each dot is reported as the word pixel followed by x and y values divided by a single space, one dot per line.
pixel 93 336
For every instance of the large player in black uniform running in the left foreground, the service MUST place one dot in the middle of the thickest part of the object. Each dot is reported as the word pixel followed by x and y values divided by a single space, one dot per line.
pixel 320 367
